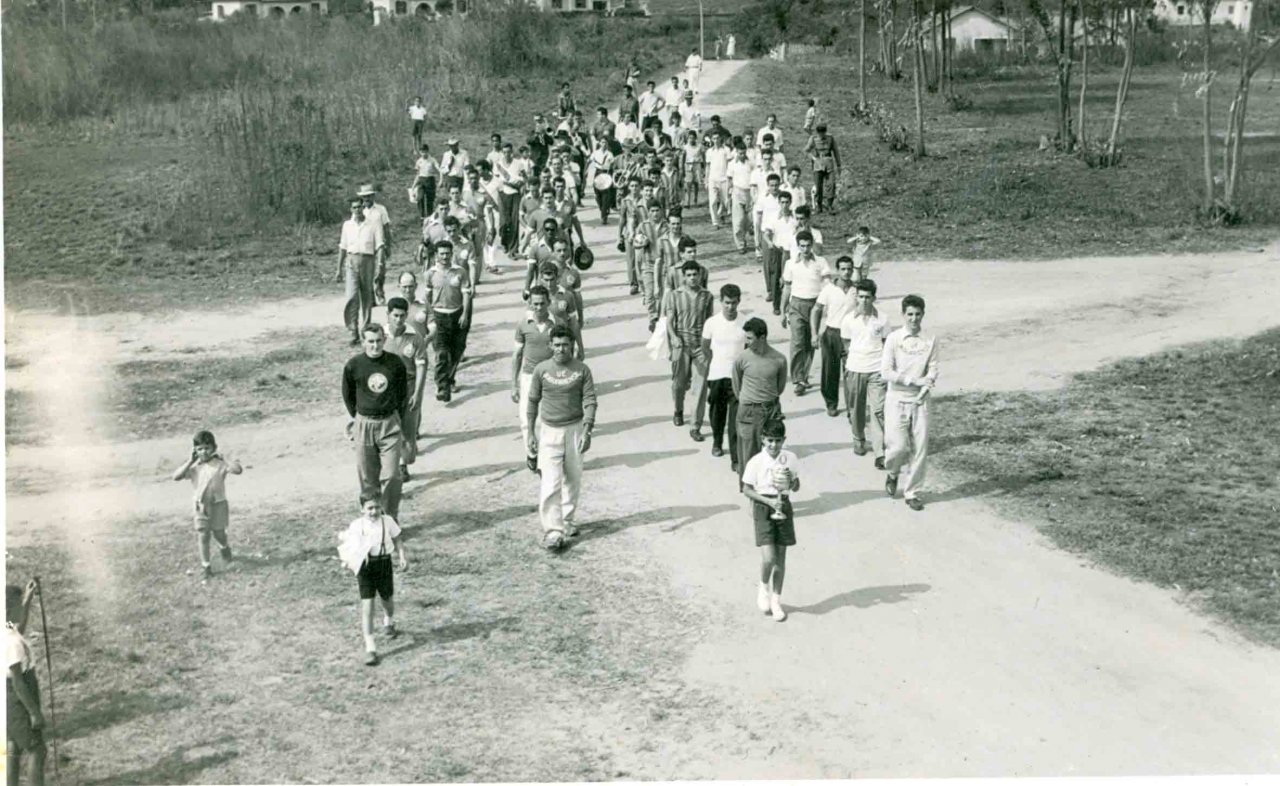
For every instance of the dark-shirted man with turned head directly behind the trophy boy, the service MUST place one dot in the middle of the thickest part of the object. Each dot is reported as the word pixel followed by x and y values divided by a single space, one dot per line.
pixel 760 380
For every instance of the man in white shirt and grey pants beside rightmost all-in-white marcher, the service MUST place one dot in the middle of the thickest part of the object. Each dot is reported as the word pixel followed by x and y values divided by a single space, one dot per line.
pixel 863 332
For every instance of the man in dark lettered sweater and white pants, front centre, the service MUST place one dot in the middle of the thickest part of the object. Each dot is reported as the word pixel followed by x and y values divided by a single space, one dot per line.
pixel 564 395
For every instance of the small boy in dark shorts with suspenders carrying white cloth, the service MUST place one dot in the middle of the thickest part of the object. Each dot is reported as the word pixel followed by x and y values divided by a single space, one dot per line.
pixel 367 549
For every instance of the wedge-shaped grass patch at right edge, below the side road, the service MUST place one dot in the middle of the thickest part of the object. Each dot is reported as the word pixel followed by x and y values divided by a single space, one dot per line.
pixel 1163 468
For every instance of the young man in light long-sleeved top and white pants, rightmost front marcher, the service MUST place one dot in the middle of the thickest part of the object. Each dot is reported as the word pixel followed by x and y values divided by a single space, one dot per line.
pixel 909 367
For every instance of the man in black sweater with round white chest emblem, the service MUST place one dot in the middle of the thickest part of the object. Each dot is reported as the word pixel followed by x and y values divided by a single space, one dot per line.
pixel 376 391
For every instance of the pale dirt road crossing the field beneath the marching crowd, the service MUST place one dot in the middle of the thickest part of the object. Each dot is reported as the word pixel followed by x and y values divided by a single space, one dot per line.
pixel 945 643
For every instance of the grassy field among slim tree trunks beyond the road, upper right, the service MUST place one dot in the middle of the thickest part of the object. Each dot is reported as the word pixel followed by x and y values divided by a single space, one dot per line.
pixel 988 191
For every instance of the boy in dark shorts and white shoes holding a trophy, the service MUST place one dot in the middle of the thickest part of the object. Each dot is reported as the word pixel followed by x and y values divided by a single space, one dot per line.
pixel 769 478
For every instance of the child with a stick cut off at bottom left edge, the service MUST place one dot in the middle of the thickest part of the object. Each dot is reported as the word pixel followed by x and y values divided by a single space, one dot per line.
pixel 26 723
